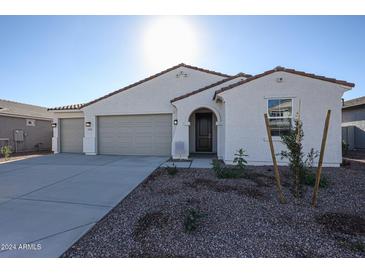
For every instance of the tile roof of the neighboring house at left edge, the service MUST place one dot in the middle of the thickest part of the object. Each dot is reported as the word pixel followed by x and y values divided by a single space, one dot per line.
pixel 10 108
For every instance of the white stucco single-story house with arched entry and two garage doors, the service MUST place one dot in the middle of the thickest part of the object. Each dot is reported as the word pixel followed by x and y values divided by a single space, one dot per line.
pixel 185 110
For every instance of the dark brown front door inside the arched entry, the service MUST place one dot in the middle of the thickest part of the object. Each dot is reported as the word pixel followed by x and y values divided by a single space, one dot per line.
pixel 203 132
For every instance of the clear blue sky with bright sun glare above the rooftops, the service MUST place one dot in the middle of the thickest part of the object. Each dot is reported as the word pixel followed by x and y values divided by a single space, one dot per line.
pixel 58 60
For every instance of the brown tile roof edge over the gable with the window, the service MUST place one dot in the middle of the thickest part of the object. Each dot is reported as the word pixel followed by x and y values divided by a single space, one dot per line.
pixel 301 73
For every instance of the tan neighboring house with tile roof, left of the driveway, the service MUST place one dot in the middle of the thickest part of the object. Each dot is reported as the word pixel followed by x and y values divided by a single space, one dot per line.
pixel 25 127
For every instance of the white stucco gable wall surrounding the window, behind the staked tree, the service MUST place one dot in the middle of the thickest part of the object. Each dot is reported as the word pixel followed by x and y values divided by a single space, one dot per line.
pixel 245 106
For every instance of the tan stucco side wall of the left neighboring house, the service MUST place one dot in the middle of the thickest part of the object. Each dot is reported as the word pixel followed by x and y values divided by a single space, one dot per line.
pixel 40 133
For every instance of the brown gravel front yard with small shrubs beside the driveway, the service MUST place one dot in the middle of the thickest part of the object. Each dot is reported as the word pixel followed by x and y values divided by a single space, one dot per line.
pixel 238 218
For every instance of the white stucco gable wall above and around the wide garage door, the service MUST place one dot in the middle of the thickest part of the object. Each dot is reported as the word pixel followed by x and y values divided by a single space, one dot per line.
pixel 151 97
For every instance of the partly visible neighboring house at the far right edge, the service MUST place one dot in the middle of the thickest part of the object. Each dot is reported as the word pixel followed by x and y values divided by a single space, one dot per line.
pixel 353 123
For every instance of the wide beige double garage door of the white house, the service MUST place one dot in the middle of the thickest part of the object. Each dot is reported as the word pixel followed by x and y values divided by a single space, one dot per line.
pixel 135 134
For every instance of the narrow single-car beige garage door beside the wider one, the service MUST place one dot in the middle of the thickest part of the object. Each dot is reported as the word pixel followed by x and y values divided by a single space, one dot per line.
pixel 72 133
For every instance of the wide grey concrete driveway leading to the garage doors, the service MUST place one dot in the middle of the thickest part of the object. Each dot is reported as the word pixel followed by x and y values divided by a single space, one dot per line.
pixel 48 203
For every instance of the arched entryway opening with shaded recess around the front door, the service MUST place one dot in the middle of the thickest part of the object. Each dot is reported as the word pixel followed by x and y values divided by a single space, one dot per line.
pixel 203 132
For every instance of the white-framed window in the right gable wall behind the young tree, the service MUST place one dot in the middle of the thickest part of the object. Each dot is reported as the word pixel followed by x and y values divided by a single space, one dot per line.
pixel 280 114
